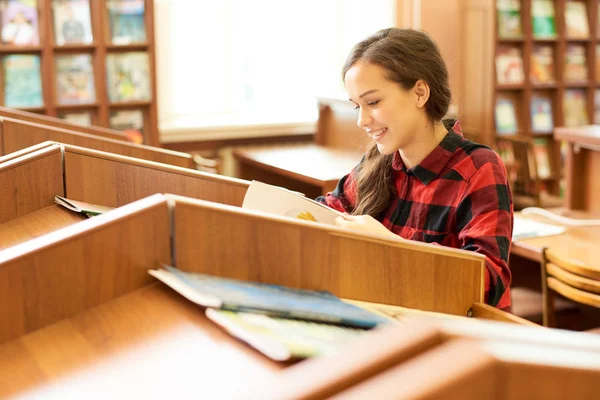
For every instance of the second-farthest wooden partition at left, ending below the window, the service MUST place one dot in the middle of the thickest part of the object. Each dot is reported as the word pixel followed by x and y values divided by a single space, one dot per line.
pixel 17 134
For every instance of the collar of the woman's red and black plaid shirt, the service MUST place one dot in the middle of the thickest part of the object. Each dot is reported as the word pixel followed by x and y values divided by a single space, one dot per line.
pixel 431 166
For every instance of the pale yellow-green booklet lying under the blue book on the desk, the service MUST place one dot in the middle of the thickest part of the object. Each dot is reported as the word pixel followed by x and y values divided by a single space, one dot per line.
pixel 283 339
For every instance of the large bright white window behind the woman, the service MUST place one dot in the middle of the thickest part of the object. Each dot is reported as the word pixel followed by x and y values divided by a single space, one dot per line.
pixel 255 62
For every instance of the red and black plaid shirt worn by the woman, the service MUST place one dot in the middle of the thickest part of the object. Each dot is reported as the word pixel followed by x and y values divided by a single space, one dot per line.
pixel 458 196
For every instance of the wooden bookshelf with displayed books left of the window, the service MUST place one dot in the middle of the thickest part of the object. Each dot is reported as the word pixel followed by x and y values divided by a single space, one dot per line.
pixel 96 62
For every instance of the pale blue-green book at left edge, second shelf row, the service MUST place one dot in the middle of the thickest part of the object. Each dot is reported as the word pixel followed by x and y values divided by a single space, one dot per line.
pixel 22 81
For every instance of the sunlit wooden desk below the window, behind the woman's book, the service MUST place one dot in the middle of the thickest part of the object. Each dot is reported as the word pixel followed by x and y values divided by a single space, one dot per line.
pixel 308 168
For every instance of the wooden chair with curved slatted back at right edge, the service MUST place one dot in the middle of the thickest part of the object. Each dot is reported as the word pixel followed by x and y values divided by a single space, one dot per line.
pixel 569 278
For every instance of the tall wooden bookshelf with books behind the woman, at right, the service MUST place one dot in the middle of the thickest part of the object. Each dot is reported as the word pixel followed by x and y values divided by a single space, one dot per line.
pixel 541 70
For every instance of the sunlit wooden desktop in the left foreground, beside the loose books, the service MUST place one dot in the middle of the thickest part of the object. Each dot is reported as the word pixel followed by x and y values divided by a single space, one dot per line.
pixel 147 344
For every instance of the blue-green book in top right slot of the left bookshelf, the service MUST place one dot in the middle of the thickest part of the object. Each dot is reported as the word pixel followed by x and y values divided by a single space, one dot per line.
pixel 126 20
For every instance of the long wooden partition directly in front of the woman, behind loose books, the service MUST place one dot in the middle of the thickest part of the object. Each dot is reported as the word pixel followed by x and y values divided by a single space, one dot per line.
pixel 227 241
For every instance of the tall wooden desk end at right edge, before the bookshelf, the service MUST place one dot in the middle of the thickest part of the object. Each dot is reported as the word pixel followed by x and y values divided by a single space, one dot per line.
pixel 582 166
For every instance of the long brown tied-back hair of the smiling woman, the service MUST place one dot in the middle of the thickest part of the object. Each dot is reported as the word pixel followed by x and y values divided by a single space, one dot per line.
pixel 407 55
